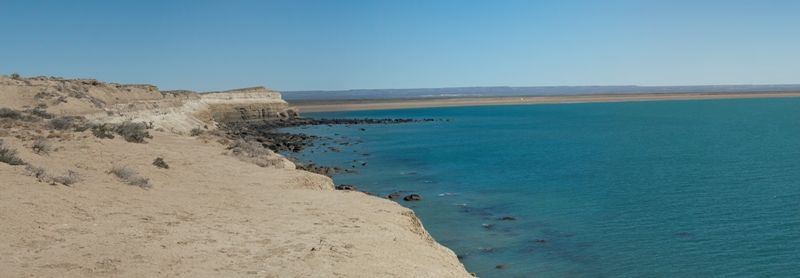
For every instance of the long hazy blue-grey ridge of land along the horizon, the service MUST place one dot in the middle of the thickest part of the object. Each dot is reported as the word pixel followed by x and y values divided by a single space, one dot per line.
pixel 527 91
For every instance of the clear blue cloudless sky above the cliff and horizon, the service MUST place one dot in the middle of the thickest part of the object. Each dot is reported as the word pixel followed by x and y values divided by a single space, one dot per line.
pixel 340 44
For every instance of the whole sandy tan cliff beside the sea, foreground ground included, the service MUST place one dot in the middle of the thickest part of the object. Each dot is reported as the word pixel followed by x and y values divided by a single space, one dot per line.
pixel 210 214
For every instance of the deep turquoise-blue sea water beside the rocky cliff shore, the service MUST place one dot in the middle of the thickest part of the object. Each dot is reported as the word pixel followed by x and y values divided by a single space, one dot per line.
pixel 638 189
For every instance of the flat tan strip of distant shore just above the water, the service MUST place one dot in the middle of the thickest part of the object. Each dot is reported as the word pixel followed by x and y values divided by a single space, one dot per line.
pixel 386 104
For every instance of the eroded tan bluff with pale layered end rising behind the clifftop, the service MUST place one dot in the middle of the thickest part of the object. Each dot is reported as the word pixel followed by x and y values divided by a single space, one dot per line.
pixel 177 111
